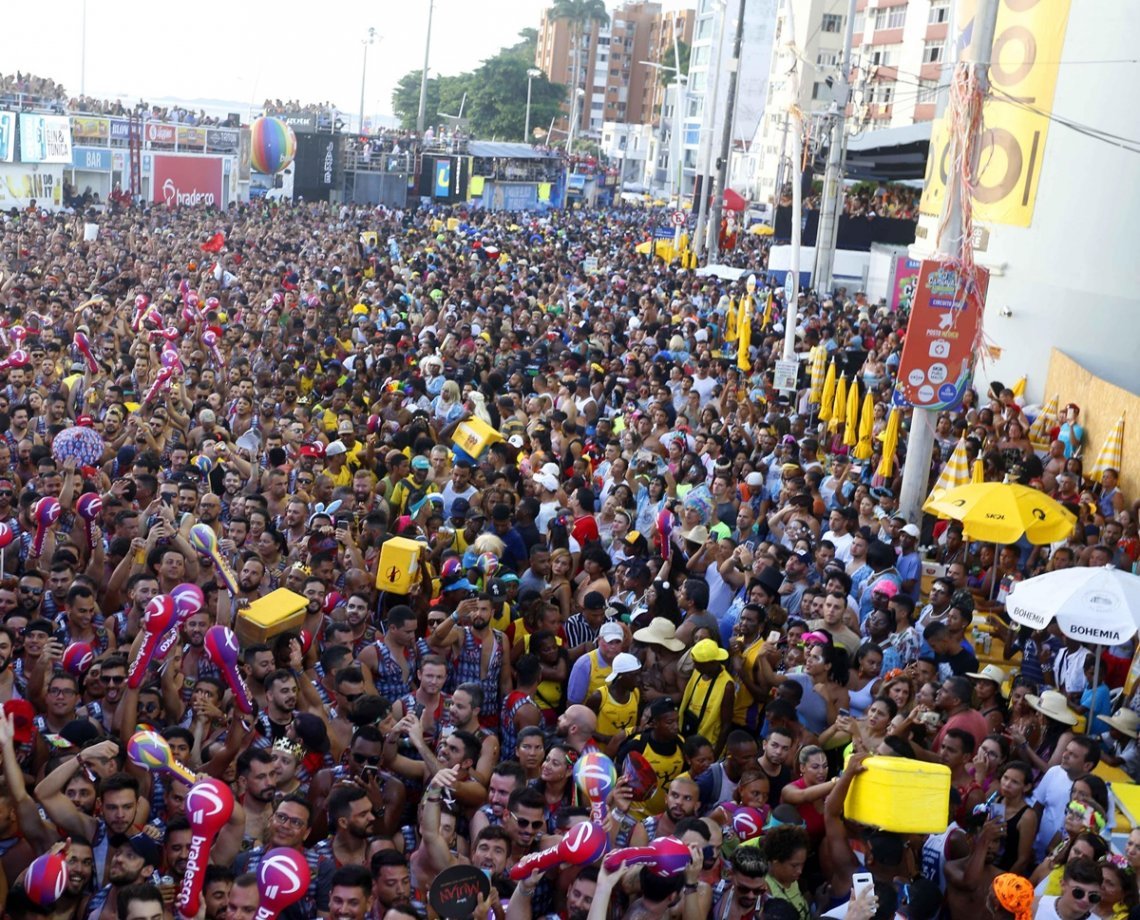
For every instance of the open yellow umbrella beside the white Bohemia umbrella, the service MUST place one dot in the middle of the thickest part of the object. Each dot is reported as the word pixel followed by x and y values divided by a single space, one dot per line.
pixel 1004 512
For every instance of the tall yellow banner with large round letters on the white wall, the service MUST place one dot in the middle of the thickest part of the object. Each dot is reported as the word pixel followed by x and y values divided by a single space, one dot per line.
pixel 1027 56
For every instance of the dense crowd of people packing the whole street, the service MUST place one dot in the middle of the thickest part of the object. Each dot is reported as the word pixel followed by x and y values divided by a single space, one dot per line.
pixel 625 542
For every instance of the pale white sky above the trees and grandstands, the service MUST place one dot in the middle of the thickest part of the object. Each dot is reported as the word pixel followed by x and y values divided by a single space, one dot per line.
pixel 242 53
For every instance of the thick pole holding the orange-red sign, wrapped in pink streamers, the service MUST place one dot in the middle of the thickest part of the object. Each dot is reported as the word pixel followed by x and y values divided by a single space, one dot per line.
pixel 921 442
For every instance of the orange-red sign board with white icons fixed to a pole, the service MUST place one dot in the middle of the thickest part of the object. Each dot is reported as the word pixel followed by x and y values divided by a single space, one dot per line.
pixel 938 362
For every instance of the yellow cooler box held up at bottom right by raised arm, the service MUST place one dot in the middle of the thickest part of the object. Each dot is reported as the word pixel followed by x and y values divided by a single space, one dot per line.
pixel 901 795
